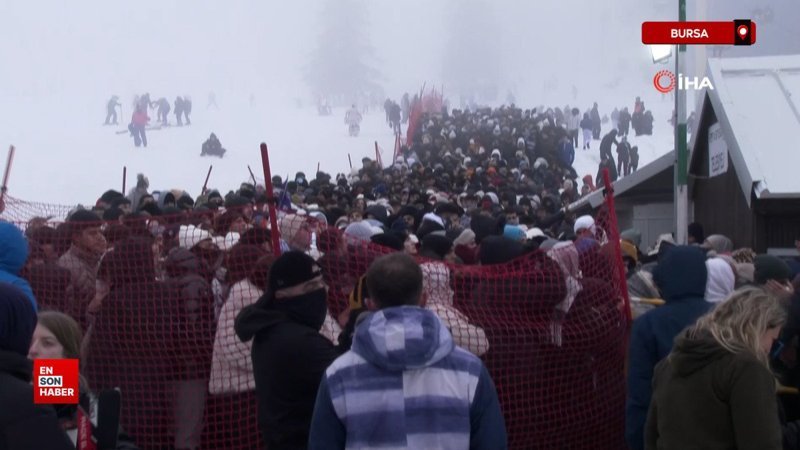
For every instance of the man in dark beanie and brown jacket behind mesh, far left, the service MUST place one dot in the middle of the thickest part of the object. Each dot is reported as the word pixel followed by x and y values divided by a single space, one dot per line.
pixel 82 259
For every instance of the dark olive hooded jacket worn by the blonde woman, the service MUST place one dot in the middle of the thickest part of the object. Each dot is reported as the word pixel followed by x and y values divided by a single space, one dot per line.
pixel 707 397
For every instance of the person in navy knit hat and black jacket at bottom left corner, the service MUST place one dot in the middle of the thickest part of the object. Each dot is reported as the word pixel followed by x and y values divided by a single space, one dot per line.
pixel 23 425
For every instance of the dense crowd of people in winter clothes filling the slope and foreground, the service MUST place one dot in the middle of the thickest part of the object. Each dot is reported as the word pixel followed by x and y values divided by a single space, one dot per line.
pixel 369 326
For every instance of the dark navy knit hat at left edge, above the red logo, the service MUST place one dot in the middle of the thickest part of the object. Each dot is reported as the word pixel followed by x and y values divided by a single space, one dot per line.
pixel 17 320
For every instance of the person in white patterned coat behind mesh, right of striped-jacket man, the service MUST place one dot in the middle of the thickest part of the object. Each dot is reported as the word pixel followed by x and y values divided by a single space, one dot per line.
pixel 439 300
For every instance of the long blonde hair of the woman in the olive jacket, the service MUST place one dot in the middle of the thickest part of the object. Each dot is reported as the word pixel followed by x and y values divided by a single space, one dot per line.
pixel 739 321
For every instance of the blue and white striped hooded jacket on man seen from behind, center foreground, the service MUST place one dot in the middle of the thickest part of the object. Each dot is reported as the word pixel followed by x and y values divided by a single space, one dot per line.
pixel 405 384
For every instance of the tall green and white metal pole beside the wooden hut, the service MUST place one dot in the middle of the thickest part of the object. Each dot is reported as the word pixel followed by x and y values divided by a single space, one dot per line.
pixel 681 150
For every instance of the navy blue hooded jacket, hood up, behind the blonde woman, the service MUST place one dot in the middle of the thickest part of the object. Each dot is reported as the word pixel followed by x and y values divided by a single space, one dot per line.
pixel 681 277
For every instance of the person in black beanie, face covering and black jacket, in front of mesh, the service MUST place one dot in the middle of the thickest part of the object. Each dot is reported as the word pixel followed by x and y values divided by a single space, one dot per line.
pixel 289 354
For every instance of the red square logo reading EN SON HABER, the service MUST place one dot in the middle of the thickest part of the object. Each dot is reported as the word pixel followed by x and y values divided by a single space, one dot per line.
pixel 55 381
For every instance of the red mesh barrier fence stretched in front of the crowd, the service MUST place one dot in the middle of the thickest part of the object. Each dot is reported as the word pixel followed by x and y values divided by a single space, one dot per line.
pixel 159 314
